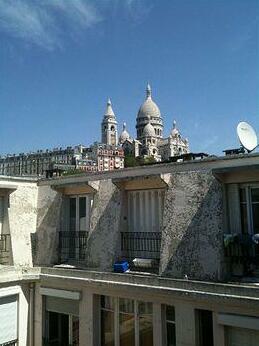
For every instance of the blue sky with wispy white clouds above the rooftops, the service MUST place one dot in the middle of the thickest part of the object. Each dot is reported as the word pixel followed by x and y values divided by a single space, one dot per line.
pixel 61 59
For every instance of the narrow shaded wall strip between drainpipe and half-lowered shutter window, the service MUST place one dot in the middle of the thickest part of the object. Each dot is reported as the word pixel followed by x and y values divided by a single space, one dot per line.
pixel 38 317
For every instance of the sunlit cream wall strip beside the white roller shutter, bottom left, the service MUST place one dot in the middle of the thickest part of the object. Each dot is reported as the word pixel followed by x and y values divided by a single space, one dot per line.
pixel 23 325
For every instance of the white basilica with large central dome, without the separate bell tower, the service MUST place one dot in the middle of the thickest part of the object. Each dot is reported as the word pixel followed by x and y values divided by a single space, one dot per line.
pixel 150 141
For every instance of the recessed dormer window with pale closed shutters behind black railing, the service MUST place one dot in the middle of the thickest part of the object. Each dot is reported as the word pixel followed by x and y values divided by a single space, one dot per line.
pixel 142 220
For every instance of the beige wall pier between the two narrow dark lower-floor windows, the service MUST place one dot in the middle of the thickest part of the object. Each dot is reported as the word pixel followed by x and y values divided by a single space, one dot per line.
pixel 185 325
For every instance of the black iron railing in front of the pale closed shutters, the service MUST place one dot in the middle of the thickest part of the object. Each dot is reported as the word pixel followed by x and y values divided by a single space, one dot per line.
pixel 141 244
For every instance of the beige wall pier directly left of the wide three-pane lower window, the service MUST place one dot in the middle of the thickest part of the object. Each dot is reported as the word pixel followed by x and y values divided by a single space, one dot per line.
pixel 89 319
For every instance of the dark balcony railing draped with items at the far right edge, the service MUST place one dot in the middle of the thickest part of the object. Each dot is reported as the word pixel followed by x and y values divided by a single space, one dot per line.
pixel 242 254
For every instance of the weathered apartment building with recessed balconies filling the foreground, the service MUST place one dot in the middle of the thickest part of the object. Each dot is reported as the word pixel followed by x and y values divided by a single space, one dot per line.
pixel 189 231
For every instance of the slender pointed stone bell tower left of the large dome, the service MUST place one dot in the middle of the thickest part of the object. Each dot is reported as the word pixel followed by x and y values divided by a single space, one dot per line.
pixel 109 126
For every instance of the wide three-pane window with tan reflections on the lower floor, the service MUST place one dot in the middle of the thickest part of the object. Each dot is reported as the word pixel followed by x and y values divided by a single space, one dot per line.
pixel 134 319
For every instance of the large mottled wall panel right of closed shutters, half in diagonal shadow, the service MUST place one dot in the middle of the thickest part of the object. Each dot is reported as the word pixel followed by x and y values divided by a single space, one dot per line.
pixel 192 236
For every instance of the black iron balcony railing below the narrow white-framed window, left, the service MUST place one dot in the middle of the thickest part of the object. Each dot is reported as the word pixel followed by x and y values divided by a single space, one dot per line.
pixel 72 246
